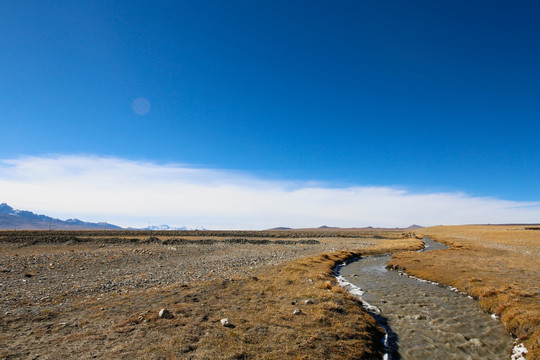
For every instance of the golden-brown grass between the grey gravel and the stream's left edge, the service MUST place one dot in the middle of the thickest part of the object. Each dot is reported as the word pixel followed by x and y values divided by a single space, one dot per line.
pixel 261 311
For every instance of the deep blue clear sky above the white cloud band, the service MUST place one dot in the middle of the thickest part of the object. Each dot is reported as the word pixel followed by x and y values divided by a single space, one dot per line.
pixel 429 95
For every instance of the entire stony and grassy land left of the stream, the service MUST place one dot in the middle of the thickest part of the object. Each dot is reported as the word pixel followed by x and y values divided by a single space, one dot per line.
pixel 100 298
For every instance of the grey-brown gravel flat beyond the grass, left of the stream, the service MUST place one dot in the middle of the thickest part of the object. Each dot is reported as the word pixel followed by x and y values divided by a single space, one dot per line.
pixel 56 275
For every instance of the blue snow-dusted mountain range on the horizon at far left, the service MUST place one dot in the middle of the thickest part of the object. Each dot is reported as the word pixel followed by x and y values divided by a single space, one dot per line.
pixel 13 219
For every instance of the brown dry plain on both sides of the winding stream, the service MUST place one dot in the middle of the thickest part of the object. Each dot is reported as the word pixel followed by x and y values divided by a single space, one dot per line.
pixel 88 294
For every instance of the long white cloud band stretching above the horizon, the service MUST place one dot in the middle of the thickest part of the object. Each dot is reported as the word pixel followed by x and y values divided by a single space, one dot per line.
pixel 135 193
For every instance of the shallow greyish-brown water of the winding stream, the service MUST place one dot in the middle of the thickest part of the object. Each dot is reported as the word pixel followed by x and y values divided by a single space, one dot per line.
pixel 425 320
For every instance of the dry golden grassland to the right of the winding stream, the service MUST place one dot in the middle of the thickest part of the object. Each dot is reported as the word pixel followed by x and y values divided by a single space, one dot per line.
pixel 498 265
